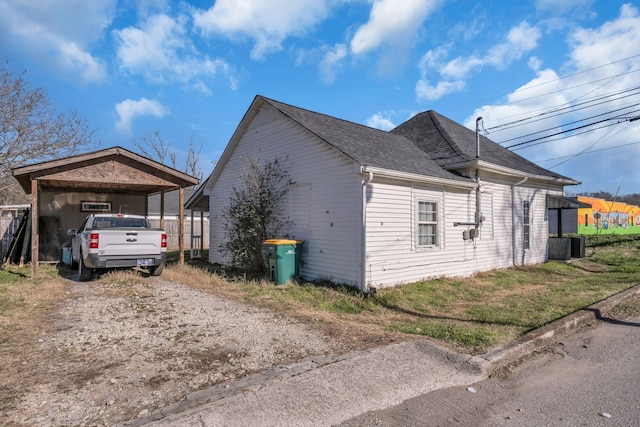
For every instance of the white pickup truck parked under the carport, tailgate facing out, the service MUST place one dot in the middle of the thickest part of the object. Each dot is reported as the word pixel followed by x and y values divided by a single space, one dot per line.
pixel 106 241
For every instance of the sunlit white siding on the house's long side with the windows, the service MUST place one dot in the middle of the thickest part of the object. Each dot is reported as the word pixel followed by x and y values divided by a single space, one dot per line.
pixel 393 258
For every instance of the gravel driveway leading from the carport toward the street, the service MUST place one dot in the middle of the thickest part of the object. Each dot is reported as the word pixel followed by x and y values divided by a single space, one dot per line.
pixel 118 352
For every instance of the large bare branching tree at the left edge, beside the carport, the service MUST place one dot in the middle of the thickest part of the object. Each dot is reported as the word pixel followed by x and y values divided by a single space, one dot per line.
pixel 31 131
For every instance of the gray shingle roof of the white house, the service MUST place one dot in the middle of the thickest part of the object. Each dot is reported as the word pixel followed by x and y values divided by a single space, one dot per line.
pixel 422 145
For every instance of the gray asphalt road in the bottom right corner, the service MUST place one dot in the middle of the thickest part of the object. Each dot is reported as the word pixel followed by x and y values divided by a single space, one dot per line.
pixel 590 378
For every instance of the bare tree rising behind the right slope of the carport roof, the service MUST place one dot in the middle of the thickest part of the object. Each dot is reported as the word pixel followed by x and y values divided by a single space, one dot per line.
pixel 154 146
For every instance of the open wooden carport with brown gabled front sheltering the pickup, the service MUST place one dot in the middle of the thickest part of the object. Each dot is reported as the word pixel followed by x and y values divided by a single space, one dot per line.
pixel 111 180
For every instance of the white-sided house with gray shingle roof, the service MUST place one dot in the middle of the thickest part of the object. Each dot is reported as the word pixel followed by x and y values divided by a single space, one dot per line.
pixel 379 208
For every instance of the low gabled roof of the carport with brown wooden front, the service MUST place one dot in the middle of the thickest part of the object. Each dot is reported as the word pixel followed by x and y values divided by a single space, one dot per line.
pixel 113 170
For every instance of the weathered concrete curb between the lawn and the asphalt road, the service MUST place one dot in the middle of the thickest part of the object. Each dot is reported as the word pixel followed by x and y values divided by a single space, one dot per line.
pixel 548 334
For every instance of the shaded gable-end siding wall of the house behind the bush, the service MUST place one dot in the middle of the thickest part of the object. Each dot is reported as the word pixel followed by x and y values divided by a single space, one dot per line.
pixel 323 205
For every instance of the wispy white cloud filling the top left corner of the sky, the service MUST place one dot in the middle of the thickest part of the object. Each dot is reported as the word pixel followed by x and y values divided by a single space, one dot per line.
pixel 58 34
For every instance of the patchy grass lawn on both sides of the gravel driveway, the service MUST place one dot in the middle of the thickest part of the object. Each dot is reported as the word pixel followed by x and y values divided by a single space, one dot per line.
pixel 470 315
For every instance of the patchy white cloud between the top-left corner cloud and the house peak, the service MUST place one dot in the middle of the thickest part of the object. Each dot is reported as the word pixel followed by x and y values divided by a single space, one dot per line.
pixel 160 50
